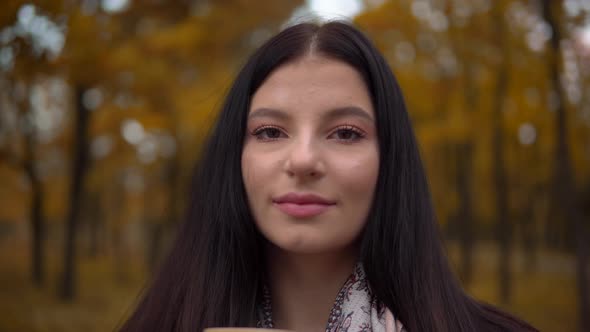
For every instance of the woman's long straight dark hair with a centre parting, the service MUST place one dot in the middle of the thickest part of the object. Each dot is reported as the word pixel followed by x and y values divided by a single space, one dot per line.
pixel 214 272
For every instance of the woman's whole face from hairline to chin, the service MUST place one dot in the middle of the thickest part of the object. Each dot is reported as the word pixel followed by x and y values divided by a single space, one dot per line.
pixel 310 158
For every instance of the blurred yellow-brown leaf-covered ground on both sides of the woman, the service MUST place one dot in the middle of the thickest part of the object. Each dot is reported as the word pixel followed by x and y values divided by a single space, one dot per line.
pixel 106 293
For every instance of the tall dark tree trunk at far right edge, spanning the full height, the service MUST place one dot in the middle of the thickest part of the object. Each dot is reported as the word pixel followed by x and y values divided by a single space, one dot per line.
pixel 563 200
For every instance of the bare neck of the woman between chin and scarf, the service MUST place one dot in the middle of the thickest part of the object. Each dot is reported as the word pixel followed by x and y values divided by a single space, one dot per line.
pixel 304 286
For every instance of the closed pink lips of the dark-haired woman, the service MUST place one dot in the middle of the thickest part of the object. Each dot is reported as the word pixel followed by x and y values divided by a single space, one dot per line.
pixel 302 205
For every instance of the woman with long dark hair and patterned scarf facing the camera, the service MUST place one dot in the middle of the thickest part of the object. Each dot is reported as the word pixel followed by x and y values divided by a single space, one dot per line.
pixel 311 189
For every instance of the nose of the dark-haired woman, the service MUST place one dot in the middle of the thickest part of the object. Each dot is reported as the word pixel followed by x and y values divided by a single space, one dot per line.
pixel 304 159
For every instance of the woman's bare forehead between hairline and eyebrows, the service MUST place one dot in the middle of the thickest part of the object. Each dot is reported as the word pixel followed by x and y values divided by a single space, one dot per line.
pixel 313 83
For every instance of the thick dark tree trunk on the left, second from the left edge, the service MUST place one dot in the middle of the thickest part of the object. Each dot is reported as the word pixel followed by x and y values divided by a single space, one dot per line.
pixel 79 161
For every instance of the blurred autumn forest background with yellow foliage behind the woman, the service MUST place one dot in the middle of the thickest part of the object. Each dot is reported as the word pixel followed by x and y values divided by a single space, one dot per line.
pixel 104 106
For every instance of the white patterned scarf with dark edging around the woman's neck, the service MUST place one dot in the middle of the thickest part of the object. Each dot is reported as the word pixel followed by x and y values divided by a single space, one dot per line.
pixel 356 309
